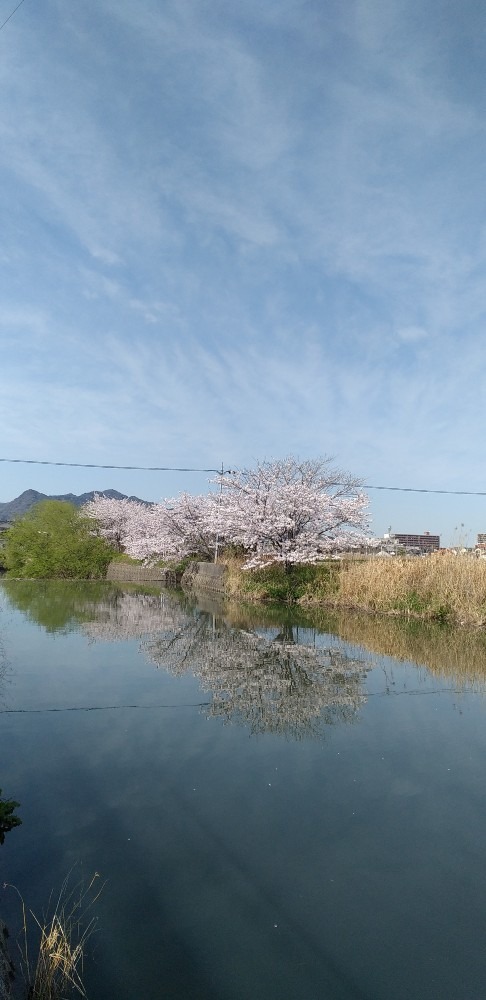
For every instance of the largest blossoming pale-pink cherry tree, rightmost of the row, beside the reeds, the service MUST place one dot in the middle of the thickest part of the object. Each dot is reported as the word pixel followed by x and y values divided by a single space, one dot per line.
pixel 291 511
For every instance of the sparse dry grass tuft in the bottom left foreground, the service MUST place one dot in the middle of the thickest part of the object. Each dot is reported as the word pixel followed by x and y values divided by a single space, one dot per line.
pixel 56 970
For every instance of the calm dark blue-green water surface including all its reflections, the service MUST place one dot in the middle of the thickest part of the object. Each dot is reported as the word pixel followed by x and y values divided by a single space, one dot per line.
pixel 280 812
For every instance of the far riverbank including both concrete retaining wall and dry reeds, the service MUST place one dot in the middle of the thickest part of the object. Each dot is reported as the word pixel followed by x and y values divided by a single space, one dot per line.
pixel 441 588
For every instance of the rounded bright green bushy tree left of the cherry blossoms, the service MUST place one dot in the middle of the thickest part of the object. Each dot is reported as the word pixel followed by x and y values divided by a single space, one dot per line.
pixel 55 540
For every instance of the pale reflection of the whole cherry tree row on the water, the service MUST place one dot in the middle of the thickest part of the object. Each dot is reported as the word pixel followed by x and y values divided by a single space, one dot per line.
pixel 270 682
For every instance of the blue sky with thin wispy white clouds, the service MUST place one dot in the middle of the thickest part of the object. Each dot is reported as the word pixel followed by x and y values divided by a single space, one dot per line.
pixel 239 231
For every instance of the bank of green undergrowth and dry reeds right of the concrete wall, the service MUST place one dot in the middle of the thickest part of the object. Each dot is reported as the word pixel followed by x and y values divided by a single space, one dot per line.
pixel 439 587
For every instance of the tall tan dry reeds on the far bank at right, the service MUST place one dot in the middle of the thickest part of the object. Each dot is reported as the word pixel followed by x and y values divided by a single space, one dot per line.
pixel 445 587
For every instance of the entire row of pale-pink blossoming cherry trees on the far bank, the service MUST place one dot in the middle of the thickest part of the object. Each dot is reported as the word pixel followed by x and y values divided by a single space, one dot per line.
pixel 282 511
